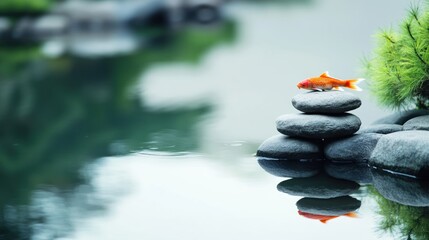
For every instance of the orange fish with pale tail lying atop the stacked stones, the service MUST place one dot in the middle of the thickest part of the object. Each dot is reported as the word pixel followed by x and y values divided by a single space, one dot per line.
pixel 326 82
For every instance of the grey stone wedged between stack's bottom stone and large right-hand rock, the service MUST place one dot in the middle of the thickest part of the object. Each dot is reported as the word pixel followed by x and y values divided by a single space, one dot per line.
pixel 357 148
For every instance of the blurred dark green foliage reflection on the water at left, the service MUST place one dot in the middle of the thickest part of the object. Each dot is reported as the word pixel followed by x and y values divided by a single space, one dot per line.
pixel 57 115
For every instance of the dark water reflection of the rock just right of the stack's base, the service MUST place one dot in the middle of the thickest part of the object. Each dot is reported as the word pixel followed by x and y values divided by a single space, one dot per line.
pixel 356 172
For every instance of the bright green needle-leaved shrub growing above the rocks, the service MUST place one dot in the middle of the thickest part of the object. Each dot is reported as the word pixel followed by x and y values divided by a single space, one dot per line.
pixel 399 72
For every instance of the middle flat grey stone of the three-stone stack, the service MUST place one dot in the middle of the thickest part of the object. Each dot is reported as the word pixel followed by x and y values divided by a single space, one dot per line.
pixel 318 126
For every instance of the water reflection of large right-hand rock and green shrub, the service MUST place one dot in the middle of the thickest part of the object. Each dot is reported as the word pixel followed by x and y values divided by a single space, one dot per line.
pixel 403 203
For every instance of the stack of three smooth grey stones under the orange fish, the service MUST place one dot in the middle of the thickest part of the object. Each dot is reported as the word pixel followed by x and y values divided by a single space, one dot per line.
pixel 309 135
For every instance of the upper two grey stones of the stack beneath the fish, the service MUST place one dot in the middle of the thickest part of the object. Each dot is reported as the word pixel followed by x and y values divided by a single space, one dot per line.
pixel 324 116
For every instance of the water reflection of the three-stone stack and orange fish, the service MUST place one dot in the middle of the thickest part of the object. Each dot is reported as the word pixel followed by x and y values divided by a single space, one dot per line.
pixel 325 197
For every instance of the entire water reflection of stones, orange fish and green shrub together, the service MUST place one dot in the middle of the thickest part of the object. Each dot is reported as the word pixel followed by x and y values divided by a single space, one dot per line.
pixel 402 202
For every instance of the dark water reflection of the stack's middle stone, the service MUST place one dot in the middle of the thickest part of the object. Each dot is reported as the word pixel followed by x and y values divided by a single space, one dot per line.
pixel 319 186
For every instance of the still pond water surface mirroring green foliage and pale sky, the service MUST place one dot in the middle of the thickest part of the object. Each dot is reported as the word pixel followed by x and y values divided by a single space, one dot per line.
pixel 159 143
